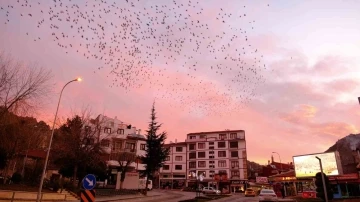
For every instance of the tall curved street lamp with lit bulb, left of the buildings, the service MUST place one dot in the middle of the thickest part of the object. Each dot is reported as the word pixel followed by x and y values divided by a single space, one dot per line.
pixel 51 137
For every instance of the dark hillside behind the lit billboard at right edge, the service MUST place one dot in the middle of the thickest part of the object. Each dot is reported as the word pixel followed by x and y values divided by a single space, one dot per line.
pixel 347 147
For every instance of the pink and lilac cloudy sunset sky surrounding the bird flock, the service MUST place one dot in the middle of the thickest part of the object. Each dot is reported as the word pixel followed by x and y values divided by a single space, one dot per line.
pixel 307 102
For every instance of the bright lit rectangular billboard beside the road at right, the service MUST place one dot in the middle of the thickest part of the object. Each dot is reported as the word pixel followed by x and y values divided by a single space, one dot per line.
pixel 308 165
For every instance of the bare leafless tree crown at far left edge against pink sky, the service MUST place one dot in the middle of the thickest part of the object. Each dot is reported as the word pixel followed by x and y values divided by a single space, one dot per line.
pixel 22 87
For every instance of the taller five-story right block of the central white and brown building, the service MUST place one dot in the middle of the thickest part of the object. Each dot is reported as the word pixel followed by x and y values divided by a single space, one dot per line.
pixel 220 156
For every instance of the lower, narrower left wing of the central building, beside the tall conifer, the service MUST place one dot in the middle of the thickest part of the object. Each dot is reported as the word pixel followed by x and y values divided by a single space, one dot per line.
pixel 173 173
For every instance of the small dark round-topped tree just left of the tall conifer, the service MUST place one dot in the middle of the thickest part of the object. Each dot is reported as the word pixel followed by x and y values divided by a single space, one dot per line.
pixel 124 159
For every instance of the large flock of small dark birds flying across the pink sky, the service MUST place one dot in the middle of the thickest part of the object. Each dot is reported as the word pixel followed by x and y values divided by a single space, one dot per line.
pixel 192 55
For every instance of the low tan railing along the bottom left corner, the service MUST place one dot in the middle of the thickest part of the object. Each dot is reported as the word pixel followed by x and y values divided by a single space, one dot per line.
pixel 30 196
